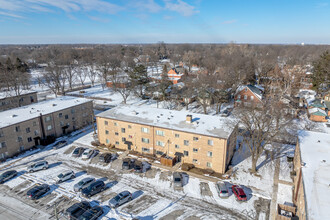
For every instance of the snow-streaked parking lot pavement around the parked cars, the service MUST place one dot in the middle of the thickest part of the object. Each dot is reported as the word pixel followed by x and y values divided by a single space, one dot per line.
pixel 154 196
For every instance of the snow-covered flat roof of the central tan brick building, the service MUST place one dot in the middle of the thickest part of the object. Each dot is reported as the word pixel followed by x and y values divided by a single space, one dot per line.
pixel 201 124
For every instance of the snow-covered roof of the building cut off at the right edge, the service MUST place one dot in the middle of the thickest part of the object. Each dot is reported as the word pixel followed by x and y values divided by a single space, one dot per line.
pixel 315 156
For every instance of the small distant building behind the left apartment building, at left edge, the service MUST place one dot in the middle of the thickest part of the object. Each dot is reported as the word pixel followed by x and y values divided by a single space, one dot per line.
pixel 9 99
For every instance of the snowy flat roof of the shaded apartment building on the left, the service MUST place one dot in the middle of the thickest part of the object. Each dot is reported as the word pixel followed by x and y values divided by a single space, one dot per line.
pixel 17 115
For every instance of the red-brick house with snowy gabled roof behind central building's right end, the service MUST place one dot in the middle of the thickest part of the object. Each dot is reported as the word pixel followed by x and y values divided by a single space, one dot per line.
pixel 248 95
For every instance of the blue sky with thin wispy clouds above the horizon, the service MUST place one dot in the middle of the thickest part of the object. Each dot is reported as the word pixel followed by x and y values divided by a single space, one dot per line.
pixel 170 21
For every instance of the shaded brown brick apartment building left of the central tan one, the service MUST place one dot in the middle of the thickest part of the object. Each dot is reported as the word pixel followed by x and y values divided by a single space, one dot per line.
pixel 25 127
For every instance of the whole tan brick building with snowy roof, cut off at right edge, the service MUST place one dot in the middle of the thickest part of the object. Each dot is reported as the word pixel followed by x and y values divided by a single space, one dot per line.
pixel 312 180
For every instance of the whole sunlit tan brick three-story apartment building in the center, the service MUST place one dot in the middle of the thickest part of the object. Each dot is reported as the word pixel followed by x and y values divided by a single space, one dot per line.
pixel 206 141
